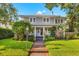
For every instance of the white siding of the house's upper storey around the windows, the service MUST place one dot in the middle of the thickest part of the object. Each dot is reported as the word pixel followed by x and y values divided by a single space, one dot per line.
pixel 43 21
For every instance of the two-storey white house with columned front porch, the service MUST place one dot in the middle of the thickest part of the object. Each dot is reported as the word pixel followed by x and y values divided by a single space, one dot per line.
pixel 41 23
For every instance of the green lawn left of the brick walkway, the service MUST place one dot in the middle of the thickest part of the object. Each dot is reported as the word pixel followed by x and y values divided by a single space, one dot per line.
pixel 9 47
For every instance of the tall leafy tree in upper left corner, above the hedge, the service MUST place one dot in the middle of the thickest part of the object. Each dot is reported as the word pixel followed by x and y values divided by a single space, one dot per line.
pixel 8 13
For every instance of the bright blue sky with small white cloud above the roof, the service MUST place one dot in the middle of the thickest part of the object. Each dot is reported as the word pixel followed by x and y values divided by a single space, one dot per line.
pixel 37 8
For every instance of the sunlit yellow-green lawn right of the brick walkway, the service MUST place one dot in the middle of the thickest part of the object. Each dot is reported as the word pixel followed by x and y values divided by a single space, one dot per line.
pixel 63 47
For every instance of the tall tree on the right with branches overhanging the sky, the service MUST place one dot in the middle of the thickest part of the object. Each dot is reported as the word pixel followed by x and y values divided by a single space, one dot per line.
pixel 72 11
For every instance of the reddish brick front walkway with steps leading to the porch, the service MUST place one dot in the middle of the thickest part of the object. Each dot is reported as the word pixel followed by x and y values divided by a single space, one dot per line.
pixel 38 49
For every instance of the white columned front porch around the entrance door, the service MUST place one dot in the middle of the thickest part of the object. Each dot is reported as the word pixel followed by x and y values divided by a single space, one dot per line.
pixel 41 32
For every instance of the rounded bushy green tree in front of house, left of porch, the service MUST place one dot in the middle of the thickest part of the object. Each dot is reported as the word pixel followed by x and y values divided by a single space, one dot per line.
pixel 19 29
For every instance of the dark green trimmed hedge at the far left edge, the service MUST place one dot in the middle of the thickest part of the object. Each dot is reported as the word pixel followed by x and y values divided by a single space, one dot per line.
pixel 6 33
